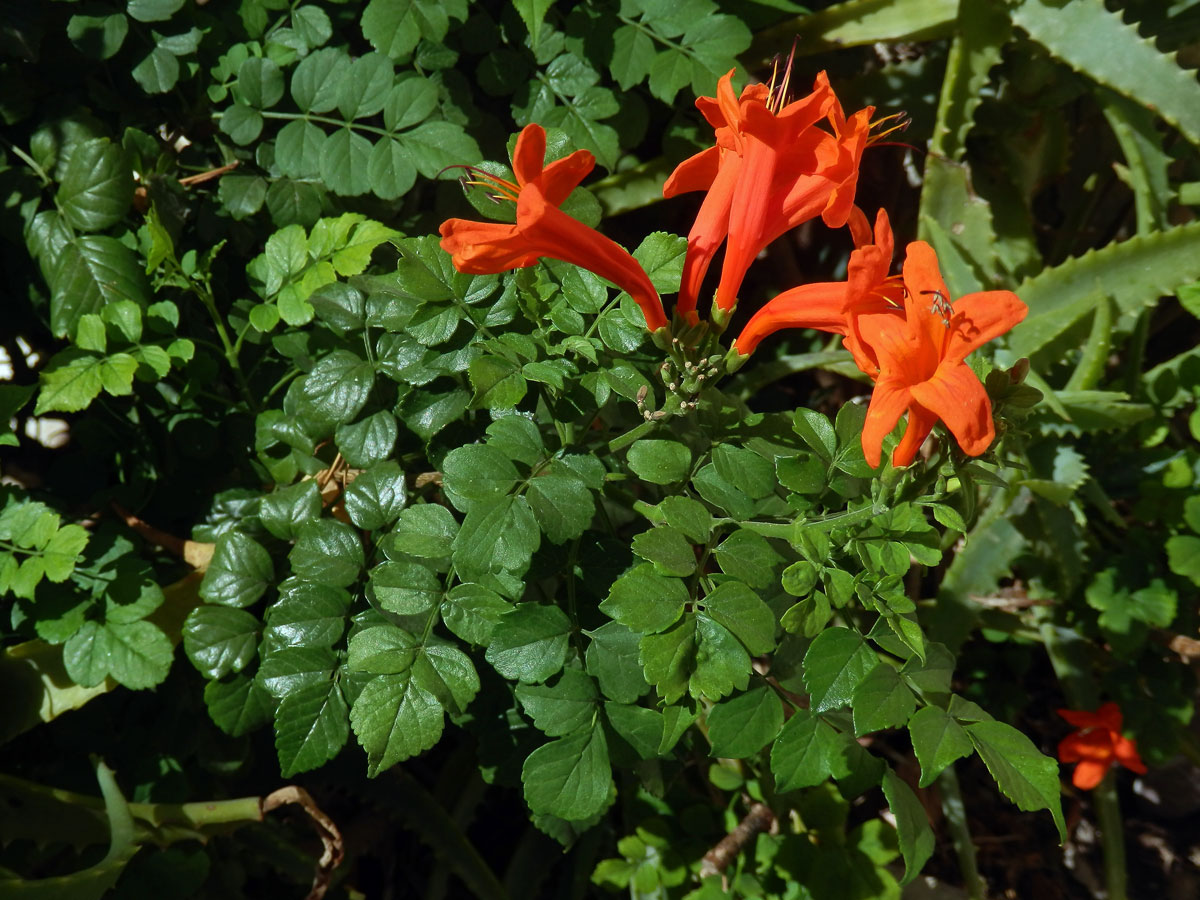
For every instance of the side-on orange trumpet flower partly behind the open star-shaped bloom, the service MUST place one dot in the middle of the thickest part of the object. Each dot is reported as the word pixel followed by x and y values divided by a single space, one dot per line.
pixel 837 307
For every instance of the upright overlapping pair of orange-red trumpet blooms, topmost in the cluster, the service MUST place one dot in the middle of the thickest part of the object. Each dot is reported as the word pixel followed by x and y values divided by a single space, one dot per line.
pixel 771 170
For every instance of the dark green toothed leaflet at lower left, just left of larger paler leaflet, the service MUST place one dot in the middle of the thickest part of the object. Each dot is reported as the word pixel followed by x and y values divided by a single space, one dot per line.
pixel 311 727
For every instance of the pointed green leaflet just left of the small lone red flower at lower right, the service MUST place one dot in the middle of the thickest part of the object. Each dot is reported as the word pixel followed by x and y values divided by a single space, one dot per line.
pixel 1023 775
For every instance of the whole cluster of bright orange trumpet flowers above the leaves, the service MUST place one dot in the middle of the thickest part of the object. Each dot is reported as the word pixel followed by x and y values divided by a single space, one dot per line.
pixel 773 167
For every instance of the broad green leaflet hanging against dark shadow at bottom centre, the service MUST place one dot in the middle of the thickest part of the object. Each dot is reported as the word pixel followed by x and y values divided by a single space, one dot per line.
pixel 569 778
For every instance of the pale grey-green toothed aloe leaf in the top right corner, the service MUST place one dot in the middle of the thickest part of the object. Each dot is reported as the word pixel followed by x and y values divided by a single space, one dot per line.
pixel 1094 41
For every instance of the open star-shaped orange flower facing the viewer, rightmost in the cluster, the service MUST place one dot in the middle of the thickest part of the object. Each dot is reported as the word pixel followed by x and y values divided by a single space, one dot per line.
pixel 921 361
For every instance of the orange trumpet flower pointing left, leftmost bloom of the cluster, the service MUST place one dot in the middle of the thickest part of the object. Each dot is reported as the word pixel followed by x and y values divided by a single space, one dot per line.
pixel 544 231
